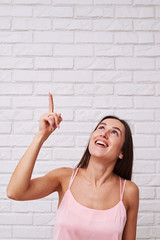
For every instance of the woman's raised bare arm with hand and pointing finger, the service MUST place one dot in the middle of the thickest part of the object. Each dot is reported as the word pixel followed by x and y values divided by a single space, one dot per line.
pixel 21 187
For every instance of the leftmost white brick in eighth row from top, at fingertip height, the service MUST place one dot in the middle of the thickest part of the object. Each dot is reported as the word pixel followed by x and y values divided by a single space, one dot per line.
pixel 16 89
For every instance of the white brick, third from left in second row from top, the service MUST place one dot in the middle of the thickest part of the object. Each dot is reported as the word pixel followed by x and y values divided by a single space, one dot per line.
pixel 94 11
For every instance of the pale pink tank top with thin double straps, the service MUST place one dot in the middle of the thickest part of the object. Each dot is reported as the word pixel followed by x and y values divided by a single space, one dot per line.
pixel 74 221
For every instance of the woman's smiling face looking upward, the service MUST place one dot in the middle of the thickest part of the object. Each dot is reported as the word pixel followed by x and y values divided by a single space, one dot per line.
pixel 107 140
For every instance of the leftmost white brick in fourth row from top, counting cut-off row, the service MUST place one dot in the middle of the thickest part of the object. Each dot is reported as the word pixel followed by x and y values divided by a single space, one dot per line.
pixel 15 37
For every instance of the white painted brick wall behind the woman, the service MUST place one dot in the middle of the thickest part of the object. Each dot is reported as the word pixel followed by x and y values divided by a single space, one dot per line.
pixel 97 57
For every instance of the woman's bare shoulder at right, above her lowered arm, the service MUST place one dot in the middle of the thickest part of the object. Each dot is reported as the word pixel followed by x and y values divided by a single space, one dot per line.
pixel 131 193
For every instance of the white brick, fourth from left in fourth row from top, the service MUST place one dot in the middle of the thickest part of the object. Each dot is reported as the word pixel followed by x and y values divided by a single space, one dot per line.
pixel 134 37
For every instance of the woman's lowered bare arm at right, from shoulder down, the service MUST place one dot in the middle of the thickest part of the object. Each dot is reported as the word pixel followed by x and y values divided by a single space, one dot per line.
pixel 132 196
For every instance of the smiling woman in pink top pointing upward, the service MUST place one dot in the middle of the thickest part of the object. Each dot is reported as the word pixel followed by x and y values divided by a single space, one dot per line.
pixel 97 200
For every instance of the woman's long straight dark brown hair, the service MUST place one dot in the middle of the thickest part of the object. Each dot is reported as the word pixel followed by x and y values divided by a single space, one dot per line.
pixel 123 167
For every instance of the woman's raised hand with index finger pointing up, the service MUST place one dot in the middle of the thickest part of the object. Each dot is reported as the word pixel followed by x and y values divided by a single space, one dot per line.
pixel 49 121
